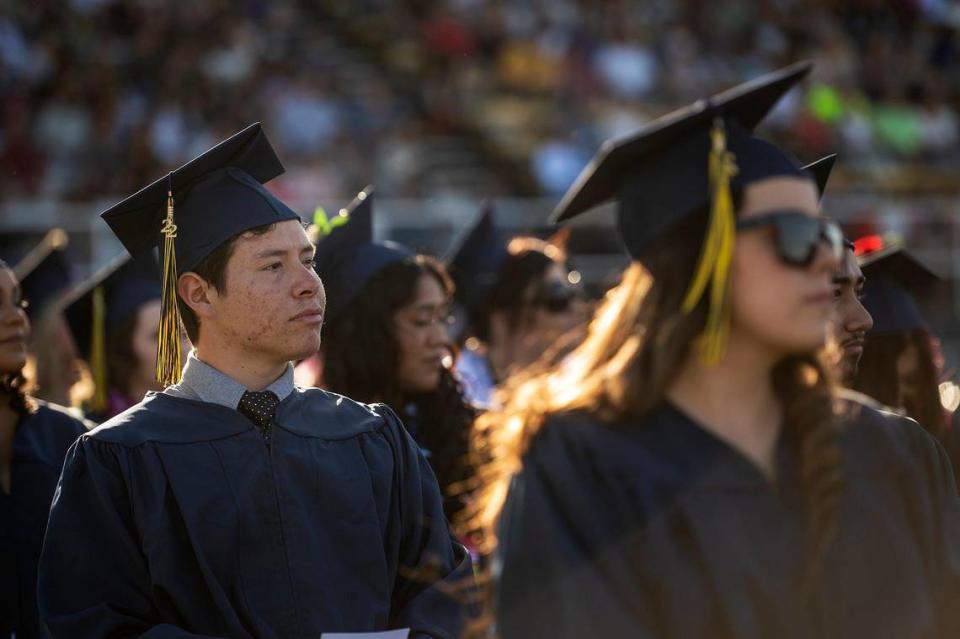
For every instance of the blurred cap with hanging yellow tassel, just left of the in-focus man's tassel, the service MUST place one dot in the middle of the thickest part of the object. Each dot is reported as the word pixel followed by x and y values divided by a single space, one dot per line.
pixel 103 303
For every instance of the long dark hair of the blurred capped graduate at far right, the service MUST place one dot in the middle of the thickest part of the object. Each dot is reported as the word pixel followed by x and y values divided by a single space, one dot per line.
pixel 879 378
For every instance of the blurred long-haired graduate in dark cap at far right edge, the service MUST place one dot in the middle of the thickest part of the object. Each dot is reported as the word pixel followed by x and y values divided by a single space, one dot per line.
pixel 900 366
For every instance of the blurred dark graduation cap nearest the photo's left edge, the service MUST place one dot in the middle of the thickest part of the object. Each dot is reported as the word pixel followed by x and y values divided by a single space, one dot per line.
pixel 42 269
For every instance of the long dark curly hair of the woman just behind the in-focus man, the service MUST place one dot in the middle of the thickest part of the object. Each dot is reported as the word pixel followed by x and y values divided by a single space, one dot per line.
pixel 361 358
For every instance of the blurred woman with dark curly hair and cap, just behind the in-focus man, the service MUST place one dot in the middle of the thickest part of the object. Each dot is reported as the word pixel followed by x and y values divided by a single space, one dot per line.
pixel 385 340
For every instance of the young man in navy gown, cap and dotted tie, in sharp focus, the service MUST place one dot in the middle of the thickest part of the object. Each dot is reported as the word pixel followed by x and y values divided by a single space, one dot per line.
pixel 234 504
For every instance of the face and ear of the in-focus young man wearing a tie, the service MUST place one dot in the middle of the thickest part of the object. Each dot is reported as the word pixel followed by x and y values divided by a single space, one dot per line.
pixel 273 302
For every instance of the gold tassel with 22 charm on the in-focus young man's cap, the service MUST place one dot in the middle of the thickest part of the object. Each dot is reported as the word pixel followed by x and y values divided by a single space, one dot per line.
pixel 168 348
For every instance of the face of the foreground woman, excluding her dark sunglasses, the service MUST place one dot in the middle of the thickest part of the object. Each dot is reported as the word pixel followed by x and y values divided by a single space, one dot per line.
pixel 783 308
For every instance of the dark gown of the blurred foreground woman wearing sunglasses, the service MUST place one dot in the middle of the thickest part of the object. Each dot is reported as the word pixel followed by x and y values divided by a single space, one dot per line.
pixel 658 529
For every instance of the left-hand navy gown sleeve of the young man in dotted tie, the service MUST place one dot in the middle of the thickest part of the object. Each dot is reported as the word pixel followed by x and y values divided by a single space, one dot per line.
pixel 93 579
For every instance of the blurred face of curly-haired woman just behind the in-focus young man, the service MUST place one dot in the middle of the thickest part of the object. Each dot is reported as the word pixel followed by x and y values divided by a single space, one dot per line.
pixel 420 330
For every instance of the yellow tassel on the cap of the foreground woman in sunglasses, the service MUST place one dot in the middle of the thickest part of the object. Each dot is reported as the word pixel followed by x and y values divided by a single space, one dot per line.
pixel 714 265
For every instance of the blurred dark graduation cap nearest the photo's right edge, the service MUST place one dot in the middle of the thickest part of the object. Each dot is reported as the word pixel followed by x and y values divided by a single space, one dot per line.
pixel 894 278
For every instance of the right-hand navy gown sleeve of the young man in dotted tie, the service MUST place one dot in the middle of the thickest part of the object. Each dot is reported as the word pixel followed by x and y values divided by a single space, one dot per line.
pixel 434 577
